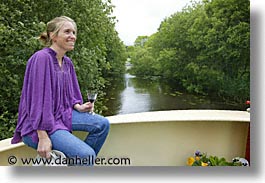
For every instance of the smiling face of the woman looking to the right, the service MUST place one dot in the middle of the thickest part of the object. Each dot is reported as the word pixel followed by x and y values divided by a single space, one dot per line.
pixel 65 40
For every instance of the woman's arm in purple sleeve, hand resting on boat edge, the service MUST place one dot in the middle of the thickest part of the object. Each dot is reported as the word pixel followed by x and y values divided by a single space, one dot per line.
pixel 39 101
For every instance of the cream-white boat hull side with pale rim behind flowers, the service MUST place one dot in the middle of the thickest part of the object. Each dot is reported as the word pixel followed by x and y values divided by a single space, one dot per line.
pixel 163 138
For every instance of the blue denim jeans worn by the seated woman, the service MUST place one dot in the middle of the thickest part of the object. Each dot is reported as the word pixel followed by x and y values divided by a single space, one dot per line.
pixel 70 145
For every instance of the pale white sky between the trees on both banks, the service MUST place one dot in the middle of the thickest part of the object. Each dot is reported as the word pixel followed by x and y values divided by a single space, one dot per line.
pixel 143 17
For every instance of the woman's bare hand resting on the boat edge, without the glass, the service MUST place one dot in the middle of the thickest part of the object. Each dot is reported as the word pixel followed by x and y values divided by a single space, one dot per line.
pixel 44 145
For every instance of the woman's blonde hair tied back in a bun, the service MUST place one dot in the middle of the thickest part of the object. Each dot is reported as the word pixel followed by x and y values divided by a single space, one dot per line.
pixel 54 27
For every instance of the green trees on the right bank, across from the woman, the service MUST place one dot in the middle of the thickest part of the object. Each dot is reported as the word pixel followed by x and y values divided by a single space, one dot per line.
pixel 205 49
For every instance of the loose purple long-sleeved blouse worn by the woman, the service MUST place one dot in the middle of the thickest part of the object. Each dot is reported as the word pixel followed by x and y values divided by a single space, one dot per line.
pixel 48 95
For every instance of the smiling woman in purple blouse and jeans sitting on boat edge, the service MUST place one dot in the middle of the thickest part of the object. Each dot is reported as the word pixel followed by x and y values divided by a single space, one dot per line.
pixel 51 104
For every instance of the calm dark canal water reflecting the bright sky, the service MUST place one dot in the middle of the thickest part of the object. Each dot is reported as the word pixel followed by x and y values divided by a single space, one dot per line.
pixel 131 94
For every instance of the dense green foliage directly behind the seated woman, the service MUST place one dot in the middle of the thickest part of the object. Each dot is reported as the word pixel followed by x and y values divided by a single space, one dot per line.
pixel 99 53
